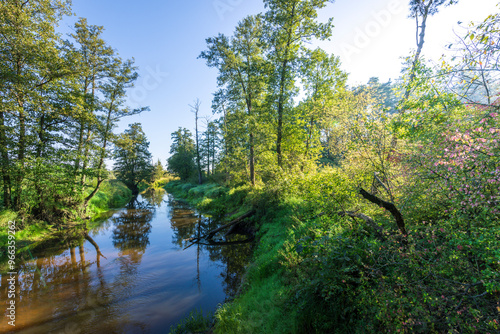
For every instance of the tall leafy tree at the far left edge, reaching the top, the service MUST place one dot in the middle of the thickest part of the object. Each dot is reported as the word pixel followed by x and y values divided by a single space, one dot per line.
pixel 29 61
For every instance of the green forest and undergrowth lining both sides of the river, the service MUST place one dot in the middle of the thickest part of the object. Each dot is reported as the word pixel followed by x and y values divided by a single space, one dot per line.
pixel 375 208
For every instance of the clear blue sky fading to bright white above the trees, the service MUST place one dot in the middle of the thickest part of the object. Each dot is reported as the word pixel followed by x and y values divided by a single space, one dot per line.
pixel 165 37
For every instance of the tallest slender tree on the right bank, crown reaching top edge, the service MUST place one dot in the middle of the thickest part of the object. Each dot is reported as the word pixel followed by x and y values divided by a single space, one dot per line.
pixel 288 25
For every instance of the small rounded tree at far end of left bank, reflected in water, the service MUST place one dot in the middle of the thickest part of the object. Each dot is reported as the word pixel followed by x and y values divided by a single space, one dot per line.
pixel 132 158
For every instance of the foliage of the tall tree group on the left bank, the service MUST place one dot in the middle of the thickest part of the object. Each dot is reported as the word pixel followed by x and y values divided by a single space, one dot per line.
pixel 60 102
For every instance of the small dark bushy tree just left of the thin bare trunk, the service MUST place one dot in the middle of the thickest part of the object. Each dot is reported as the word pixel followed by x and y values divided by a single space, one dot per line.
pixel 183 152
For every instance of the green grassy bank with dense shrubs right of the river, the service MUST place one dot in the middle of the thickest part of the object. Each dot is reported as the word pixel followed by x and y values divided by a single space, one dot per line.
pixel 314 271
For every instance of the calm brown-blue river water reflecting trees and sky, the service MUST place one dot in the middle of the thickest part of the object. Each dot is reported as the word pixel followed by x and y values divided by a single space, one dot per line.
pixel 143 280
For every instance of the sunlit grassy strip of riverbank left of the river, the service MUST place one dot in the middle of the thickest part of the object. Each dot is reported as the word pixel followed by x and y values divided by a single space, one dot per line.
pixel 112 194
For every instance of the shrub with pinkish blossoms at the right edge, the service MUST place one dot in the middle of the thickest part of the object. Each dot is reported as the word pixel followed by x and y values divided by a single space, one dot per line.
pixel 464 164
